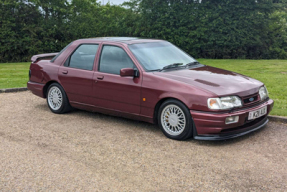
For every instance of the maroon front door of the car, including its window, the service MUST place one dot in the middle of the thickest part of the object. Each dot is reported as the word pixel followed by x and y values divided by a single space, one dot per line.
pixel 111 91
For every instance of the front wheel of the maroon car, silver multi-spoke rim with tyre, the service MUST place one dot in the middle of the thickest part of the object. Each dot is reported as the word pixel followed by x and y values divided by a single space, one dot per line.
pixel 175 120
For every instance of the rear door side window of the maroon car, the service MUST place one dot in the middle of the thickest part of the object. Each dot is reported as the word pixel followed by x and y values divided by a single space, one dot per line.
pixel 83 57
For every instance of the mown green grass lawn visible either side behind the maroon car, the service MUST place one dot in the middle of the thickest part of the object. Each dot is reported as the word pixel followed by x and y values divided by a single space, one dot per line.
pixel 271 72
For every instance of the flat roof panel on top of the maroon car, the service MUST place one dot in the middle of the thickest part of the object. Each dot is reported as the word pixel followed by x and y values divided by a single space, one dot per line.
pixel 126 40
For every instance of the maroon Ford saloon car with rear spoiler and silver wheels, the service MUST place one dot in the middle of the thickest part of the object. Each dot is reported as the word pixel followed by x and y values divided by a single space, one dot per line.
pixel 153 81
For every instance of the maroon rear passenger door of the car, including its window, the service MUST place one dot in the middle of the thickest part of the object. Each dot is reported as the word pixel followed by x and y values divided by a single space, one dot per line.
pixel 76 75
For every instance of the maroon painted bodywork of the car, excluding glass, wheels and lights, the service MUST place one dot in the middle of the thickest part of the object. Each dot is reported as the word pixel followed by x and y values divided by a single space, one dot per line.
pixel 123 96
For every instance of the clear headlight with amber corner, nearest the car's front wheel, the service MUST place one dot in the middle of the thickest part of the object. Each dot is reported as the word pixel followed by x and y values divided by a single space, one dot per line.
pixel 224 102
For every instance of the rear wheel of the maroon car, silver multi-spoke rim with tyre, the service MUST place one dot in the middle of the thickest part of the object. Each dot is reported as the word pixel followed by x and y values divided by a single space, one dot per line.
pixel 57 99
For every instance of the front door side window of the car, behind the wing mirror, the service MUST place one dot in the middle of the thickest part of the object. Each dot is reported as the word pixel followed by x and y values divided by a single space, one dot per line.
pixel 113 59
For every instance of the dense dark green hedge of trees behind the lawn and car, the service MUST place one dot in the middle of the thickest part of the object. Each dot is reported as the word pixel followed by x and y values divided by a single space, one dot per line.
pixel 253 29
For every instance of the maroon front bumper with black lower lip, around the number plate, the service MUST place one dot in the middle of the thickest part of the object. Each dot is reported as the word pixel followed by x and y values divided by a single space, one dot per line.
pixel 211 126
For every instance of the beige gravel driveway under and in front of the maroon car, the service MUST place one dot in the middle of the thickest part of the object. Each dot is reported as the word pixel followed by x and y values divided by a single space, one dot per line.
pixel 83 151
